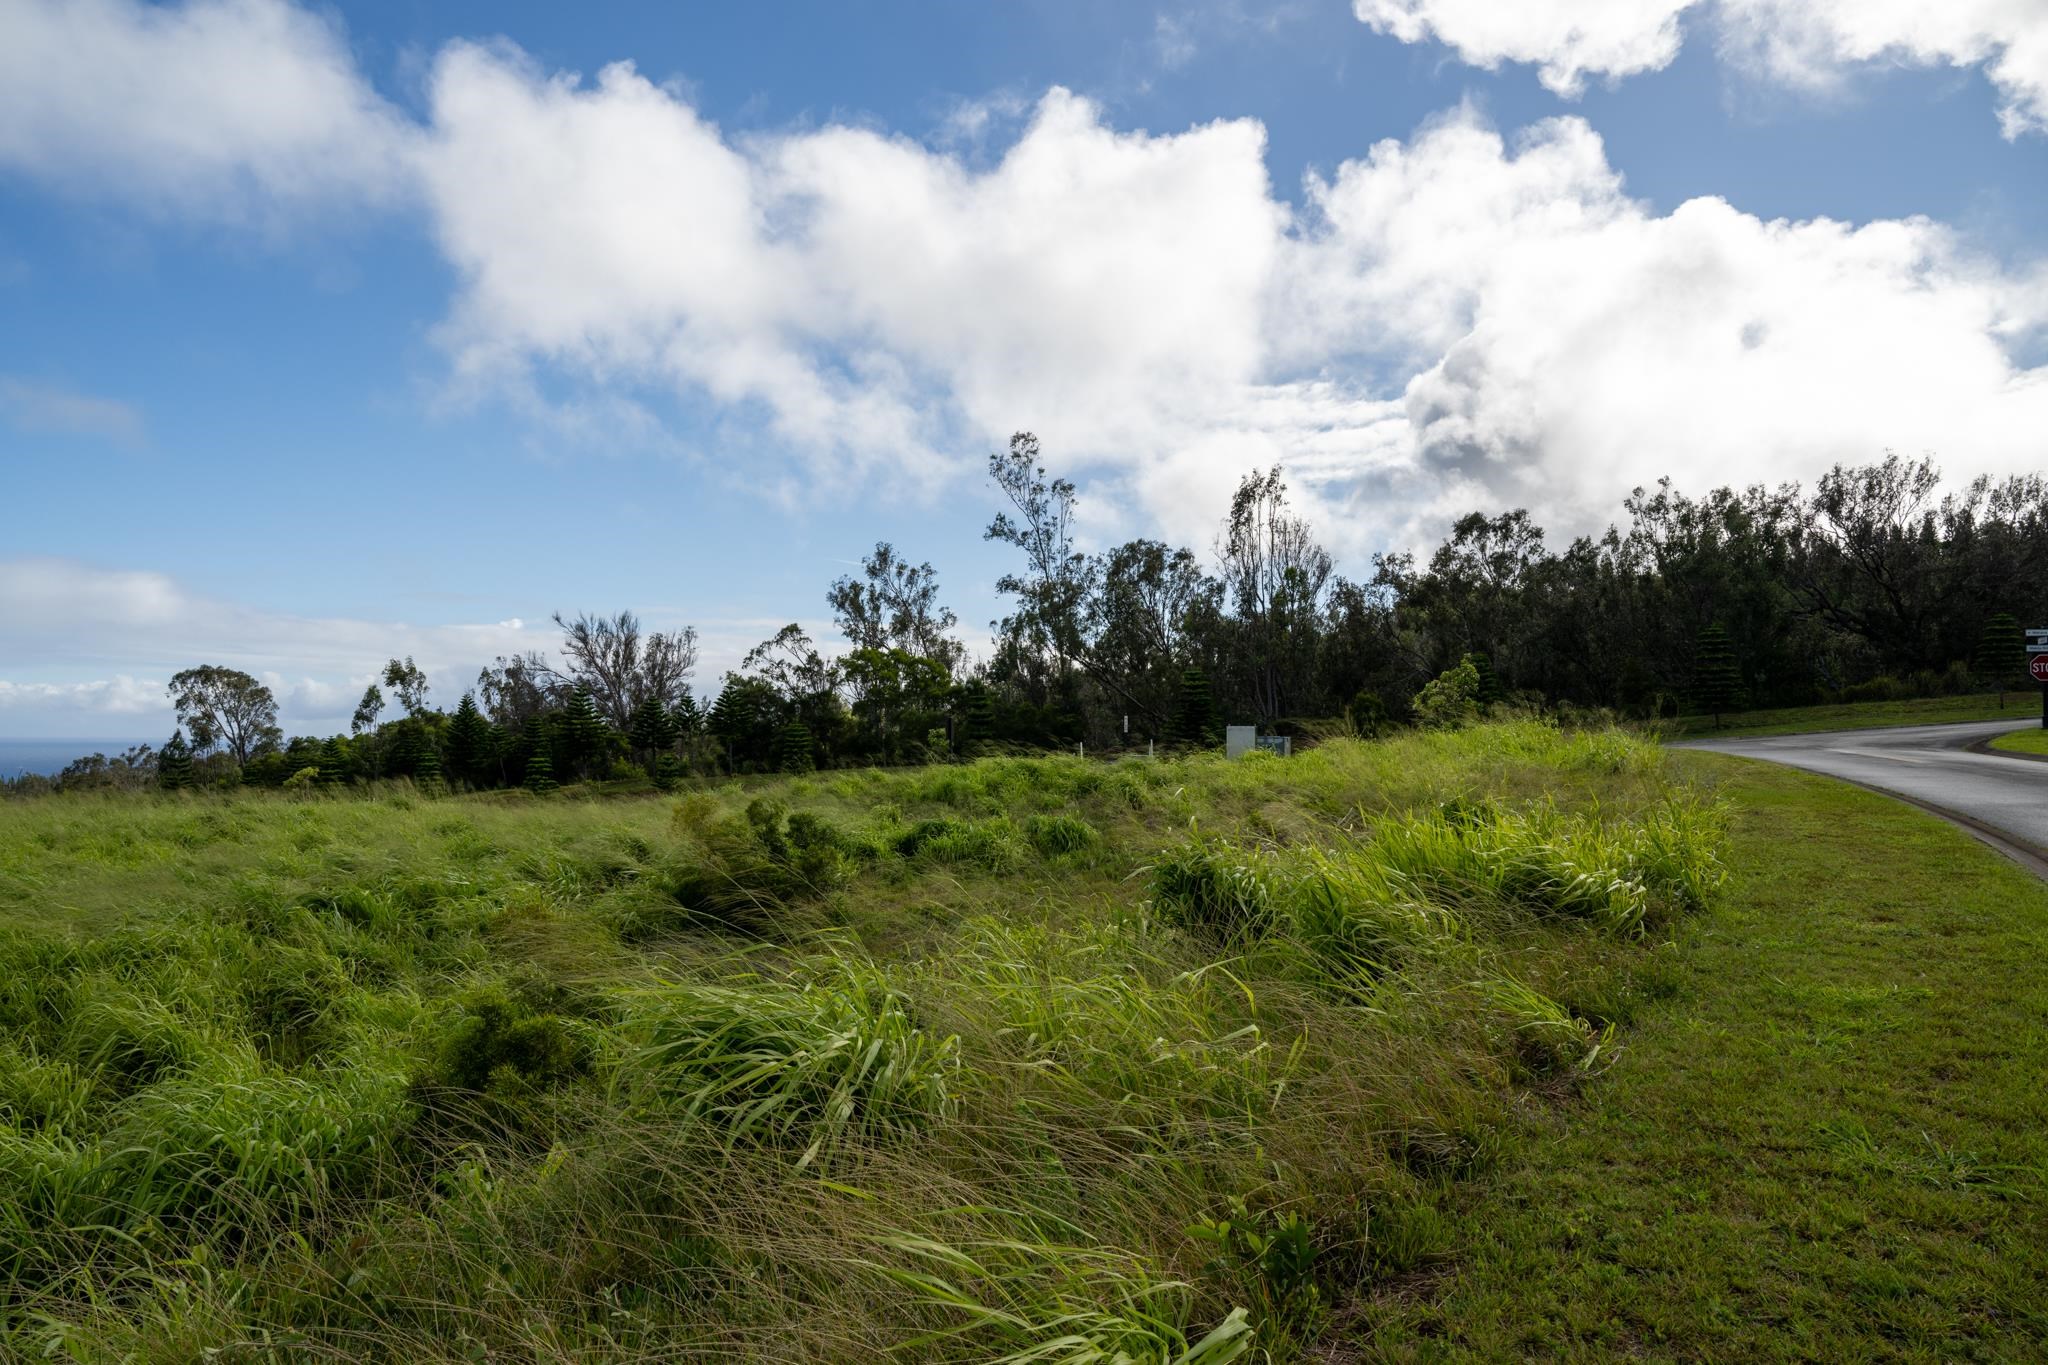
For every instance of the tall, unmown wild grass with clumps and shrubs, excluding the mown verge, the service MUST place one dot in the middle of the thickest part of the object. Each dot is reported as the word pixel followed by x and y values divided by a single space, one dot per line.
pixel 1023 1059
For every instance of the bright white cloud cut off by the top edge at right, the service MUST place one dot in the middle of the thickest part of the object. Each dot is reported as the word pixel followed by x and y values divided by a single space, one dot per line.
pixel 1811 44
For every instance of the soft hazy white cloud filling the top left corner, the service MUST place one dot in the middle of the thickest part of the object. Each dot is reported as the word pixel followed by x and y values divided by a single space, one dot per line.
pixel 222 109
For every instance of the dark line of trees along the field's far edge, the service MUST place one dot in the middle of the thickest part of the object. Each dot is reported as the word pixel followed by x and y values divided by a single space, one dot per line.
pixel 1871 586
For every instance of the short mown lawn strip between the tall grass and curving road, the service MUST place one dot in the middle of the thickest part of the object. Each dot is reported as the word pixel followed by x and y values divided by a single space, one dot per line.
pixel 1832 1145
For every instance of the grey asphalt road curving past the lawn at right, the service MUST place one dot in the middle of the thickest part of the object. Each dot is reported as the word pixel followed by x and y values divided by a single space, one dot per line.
pixel 1928 764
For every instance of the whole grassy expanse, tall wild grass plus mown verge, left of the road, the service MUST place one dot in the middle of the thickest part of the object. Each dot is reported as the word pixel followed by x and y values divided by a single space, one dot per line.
pixel 1433 1049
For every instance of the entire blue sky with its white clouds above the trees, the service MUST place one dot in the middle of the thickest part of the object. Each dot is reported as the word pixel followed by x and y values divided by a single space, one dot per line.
pixel 361 331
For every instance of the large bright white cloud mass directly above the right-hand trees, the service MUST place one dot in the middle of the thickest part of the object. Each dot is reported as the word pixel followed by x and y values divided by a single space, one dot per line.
pixel 1586 345
